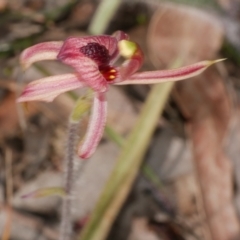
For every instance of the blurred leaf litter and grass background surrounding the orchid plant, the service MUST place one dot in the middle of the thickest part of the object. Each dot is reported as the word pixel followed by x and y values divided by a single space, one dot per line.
pixel 181 177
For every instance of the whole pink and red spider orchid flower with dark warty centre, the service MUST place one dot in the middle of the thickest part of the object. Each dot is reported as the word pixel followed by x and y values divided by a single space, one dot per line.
pixel 93 58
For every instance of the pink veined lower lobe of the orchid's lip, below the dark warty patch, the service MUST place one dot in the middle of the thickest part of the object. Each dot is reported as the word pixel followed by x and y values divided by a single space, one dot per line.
pixel 88 72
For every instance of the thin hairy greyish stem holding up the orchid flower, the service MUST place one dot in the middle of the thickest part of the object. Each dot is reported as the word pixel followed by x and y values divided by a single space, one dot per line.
pixel 65 226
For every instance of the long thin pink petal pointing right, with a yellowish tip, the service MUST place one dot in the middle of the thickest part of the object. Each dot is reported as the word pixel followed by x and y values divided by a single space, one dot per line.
pixel 168 75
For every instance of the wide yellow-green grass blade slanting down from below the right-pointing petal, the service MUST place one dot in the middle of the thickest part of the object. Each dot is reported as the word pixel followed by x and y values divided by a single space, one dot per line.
pixel 127 166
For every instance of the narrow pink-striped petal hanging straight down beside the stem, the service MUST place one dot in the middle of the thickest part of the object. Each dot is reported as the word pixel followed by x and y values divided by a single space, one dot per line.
pixel 96 126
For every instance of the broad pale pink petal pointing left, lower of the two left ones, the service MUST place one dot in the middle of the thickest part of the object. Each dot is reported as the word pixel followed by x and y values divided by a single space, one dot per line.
pixel 46 89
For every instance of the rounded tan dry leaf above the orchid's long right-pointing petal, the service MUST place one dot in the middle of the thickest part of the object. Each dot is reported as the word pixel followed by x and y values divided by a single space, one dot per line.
pixel 185 33
